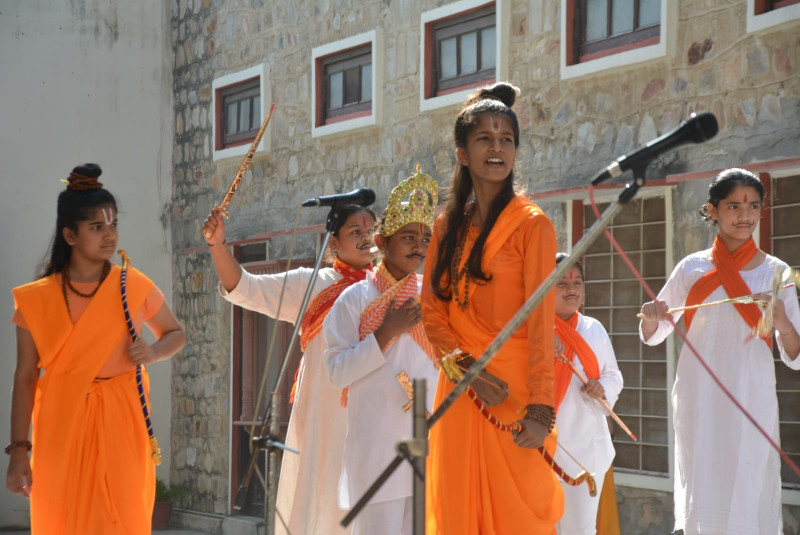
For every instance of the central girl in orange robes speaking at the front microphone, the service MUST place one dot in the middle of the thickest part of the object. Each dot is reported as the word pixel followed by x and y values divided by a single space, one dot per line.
pixel 491 249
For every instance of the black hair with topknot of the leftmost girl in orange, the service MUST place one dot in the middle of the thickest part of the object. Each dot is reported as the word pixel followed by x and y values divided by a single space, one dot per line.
pixel 78 202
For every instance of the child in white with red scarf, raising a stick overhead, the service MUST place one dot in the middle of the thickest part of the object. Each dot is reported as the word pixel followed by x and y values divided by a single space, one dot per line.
pixel 306 499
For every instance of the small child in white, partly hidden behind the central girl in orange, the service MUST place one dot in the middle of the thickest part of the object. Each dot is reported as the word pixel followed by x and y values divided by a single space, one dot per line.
pixel 580 418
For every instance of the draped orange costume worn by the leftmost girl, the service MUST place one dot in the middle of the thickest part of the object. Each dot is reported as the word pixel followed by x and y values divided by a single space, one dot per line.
pixel 91 457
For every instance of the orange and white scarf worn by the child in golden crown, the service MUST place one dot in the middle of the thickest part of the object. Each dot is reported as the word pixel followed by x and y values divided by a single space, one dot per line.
pixel 372 317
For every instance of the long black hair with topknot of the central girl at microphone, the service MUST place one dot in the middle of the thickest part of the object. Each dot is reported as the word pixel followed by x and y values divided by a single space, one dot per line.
pixel 496 99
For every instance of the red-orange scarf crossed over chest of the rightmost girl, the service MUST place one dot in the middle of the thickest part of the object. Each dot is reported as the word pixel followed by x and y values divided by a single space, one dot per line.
pixel 726 273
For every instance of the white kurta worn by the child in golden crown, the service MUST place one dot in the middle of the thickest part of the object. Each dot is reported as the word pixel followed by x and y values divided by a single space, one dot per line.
pixel 375 417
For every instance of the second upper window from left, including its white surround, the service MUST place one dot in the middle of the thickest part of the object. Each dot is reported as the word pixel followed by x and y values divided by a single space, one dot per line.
pixel 347 84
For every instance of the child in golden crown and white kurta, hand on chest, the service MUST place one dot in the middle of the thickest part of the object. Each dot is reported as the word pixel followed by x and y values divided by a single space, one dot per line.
pixel 373 335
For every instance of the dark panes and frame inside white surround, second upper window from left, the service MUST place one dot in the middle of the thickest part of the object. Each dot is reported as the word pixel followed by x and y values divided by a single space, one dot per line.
pixel 347 82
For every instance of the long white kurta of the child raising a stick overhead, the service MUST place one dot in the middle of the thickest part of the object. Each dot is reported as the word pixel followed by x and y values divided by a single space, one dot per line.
pixel 318 423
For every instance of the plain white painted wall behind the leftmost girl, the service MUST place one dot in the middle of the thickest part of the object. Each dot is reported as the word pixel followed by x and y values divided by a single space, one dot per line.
pixel 82 81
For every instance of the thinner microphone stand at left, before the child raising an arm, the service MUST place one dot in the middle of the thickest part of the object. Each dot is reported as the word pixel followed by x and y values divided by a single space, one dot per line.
pixel 269 441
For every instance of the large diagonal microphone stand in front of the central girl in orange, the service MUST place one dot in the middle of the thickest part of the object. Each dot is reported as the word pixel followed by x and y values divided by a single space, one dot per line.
pixel 412 450
